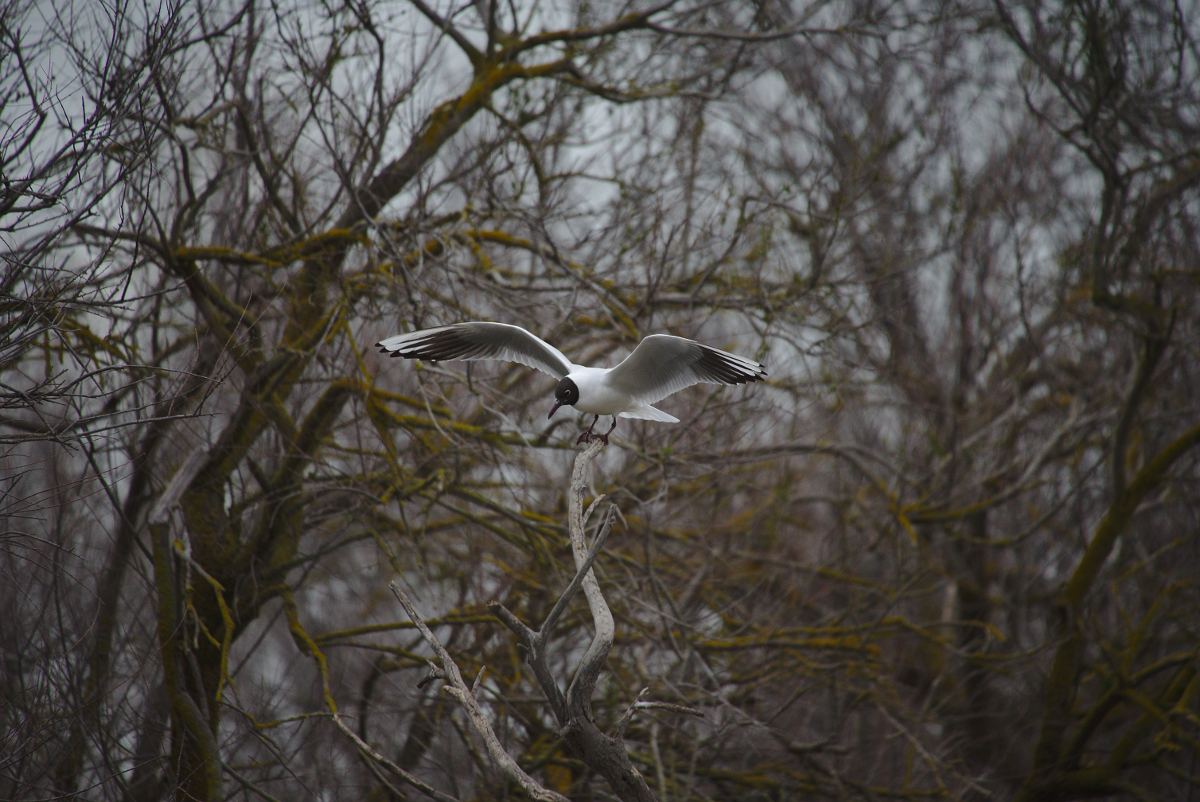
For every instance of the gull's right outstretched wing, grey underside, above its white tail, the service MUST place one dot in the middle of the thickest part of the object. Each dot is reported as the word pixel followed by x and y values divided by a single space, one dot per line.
pixel 663 364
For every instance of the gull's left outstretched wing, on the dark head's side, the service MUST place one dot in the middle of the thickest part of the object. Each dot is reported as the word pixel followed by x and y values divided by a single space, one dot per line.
pixel 479 340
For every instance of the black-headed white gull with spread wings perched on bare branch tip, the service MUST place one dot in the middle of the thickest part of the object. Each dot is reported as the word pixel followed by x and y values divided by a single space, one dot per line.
pixel 661 366
